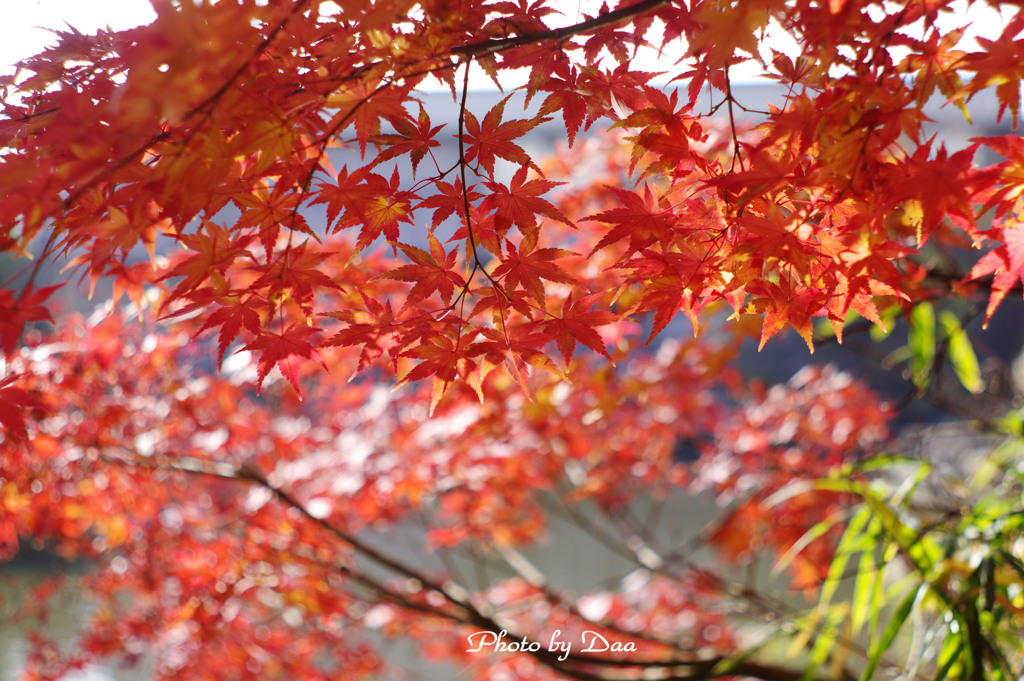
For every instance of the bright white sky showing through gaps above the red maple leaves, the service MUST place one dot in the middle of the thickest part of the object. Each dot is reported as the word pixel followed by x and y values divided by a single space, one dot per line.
pixel 23 25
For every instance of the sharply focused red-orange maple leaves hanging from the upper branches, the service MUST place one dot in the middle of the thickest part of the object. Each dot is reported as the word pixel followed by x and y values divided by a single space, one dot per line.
pixel 223 147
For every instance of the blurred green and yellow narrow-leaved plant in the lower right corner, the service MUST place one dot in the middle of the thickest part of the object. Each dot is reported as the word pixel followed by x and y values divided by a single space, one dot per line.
pixel 936 576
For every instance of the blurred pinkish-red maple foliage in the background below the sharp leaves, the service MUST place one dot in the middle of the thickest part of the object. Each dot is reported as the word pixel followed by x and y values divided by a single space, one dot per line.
pixel 240 523
